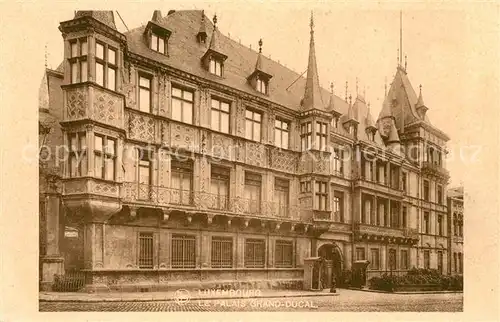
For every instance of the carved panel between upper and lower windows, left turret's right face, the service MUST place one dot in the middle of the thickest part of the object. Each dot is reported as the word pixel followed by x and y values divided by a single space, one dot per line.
pixel 108 108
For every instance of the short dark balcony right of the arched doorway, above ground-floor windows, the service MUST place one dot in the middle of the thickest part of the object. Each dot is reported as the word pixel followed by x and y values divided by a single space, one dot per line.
pixel 367 232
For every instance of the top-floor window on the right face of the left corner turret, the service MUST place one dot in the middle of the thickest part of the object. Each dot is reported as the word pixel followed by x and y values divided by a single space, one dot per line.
pixel 105 66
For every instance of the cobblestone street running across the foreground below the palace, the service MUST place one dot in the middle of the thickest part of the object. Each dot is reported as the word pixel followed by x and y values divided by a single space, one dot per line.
pixel 347 301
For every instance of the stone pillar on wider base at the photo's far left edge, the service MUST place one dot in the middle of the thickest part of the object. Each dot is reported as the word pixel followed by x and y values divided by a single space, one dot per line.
pixel 51 262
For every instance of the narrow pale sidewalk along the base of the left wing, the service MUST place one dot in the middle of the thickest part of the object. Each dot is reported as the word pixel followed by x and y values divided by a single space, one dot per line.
pixel 180 295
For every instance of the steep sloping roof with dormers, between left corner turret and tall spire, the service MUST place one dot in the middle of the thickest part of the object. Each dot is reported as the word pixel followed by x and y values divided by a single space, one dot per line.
pixel 185 54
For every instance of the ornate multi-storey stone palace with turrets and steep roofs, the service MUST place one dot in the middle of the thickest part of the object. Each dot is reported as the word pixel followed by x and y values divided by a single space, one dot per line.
pixel 190 160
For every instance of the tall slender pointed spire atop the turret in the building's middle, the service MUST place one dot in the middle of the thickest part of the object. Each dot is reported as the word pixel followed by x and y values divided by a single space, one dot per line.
pixel 312 93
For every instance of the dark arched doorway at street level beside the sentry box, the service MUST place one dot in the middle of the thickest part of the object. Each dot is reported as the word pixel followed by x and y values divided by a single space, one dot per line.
pixel 332 269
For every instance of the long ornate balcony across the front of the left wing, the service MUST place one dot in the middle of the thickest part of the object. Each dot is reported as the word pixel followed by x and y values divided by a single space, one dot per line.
pixel 146 195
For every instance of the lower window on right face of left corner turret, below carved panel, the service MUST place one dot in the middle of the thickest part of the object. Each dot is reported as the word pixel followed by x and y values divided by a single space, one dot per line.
pixel 104 157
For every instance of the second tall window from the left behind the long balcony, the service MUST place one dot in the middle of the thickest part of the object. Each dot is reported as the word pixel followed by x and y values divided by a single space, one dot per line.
pixel 182 182
